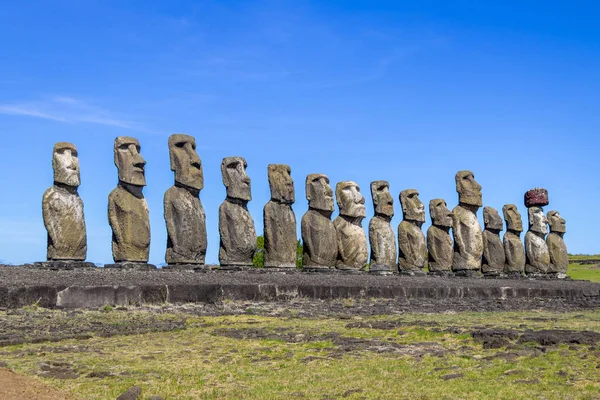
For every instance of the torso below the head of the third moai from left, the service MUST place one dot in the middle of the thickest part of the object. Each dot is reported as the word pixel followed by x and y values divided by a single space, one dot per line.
pixel 186 227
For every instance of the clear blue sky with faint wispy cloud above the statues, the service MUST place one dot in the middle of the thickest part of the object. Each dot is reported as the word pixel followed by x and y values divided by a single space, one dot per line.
pixel 410 92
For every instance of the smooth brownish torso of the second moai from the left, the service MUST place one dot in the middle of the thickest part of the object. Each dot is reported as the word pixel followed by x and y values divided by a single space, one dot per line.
pixel 129 220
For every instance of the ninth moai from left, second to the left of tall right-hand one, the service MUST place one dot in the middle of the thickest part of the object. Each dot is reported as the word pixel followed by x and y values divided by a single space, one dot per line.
pixel 411 240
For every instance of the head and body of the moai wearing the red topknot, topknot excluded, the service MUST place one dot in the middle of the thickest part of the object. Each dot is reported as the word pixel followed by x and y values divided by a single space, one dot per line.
pixel 536 249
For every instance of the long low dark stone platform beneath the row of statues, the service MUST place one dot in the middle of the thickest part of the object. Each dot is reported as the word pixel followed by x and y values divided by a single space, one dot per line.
pixel 93 288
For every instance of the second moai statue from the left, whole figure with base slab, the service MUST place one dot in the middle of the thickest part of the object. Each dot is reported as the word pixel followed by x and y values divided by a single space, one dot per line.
pixel 127 208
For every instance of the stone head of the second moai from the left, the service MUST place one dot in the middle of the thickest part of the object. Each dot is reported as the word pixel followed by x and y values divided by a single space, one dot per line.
pixel 129 161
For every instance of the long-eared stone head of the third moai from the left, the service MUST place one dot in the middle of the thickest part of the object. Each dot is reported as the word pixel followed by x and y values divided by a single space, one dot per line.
pixel 185 161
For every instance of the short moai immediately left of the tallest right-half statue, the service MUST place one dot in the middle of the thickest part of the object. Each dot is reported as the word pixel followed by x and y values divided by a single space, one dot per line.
pixel 439 242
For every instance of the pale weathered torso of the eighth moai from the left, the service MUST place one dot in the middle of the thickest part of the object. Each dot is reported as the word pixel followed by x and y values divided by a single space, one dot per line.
pixel 383 244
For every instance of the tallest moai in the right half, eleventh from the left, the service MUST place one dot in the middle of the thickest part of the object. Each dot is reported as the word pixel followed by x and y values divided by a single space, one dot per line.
pixel 468 239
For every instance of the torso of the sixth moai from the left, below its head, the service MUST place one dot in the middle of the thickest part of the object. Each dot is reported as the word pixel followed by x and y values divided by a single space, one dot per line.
pixel 319 240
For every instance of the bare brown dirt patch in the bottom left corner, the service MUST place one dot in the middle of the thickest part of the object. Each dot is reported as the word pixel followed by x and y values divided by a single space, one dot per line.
pixel 18 387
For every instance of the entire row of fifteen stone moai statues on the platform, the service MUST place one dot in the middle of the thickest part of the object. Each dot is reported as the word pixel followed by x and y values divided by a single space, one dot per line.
pixel 340 244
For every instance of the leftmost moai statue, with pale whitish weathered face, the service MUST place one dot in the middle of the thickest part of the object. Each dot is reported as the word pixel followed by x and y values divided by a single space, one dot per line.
pixel 62 207
